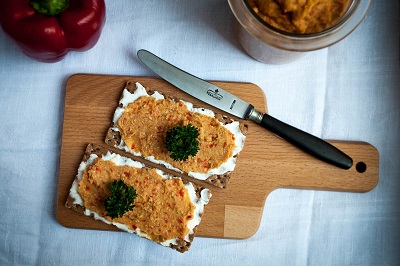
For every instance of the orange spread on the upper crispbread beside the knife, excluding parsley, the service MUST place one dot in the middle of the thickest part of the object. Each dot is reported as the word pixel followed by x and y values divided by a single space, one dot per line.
pixel 144 123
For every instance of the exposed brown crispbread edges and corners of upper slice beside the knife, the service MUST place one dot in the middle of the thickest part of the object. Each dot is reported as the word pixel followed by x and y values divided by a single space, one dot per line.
pixel 113 137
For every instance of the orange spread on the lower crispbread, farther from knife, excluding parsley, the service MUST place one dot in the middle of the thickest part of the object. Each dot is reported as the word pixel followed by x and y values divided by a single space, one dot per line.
pixel 162 206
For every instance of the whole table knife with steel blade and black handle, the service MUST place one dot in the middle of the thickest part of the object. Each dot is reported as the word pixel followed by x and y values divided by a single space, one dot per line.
pixel 227 102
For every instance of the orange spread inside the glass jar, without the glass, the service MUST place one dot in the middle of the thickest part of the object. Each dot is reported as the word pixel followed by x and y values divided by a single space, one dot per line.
pixel 300 16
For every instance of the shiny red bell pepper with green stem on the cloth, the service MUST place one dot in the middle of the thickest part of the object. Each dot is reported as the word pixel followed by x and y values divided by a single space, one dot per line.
pixel 46 30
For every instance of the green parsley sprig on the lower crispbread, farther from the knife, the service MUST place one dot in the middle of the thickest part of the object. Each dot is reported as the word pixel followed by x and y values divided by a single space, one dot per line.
pixel 120 200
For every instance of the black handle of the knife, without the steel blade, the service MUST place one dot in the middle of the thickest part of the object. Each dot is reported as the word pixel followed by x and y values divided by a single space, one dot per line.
pixel 307 142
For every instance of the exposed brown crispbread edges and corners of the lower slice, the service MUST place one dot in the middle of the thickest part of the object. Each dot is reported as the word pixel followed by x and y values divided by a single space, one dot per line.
pixel 181 245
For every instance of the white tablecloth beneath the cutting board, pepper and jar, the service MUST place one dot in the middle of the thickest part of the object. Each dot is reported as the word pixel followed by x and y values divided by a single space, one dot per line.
pixel 350 91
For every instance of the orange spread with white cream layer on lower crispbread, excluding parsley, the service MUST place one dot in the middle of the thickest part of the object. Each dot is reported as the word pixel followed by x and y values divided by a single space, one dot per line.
pixel 165 209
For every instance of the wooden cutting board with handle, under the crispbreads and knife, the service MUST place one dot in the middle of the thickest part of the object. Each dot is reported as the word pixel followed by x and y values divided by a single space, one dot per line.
pixel 265 164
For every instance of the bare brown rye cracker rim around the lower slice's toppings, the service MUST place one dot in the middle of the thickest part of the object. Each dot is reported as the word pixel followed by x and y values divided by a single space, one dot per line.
pixel 180 245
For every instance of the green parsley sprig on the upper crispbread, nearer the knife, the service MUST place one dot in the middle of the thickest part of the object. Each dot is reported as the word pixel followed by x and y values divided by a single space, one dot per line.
pixel 182 142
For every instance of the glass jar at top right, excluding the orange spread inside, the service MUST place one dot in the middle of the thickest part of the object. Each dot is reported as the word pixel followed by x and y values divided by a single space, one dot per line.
pixel 269 45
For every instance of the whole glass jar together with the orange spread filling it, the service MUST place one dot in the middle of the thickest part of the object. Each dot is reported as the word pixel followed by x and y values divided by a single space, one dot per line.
pixel 281 31
